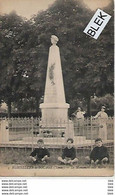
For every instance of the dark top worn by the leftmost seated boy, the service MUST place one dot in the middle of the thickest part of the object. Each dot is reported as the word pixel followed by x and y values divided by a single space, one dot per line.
pixel 40 153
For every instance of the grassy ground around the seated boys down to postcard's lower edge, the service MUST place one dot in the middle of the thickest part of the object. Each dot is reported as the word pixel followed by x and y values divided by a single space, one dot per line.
pixel 16 162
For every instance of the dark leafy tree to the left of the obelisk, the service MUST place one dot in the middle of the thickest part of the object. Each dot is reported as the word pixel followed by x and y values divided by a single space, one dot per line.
pixel 20 73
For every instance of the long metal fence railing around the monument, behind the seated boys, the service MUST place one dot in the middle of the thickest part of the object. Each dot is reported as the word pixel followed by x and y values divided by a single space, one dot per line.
pixel 21 131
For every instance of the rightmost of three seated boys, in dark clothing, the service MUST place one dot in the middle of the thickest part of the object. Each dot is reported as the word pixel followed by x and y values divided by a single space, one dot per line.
pixel 99 155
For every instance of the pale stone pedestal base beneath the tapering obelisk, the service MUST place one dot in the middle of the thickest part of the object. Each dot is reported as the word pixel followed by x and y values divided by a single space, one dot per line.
pixel 55 122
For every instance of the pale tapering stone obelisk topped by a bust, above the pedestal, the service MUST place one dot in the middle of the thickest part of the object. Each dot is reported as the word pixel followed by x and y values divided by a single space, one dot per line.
pixel 54 89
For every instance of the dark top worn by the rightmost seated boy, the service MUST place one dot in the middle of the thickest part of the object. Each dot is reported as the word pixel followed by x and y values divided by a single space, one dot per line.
pixel 98 153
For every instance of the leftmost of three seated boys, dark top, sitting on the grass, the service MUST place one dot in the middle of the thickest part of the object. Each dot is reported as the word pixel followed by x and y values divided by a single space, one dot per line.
pixel 40 154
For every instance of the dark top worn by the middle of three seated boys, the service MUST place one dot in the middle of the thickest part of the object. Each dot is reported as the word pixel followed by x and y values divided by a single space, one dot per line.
pixel 69 153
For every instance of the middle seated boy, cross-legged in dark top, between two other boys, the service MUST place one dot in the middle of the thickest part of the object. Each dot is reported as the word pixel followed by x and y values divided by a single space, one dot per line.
pixel 69 153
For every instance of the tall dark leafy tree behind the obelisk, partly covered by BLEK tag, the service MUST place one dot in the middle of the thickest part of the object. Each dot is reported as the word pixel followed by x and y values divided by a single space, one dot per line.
pixel 87 65
